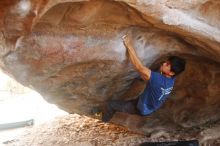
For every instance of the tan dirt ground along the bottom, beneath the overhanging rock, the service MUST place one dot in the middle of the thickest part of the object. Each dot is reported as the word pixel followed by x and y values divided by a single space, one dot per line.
pixel 77 130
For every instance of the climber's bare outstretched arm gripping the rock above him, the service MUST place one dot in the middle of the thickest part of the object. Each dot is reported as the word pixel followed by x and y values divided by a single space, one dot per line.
pixel 144 71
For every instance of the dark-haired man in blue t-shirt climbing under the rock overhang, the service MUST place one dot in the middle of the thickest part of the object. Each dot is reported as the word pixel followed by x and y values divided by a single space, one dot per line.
pixel 160 85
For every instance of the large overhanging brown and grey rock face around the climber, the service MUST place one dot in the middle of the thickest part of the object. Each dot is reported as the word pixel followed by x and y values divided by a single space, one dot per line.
pixel 71 52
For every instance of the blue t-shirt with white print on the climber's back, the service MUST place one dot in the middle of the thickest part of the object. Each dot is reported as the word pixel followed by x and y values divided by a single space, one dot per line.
pixel 155 93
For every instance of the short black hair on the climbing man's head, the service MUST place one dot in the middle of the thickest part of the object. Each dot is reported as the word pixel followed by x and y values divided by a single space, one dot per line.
pixel 177 64
